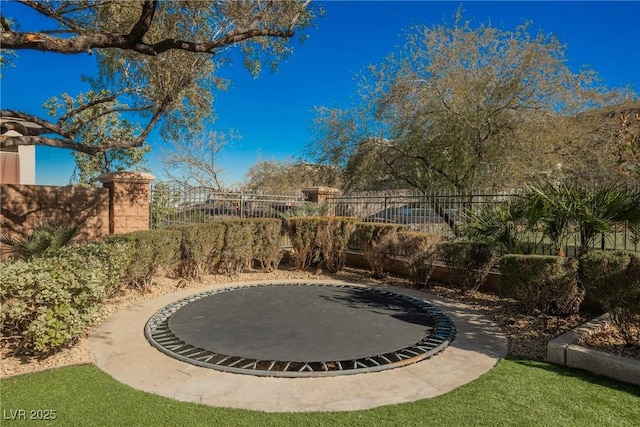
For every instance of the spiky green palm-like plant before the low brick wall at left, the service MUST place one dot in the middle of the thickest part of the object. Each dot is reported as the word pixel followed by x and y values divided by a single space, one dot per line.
pixel 46 239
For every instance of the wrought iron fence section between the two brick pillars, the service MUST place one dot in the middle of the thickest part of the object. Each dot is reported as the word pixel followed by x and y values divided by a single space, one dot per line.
pixel 173 203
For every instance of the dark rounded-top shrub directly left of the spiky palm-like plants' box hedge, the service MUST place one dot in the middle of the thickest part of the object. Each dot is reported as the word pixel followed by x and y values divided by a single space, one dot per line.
pixel 468 263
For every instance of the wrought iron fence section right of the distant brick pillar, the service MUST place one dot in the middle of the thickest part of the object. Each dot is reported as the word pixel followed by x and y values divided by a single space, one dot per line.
pixel 447 212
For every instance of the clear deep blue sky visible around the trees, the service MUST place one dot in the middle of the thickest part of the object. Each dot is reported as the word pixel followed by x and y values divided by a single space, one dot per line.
pixel 273 113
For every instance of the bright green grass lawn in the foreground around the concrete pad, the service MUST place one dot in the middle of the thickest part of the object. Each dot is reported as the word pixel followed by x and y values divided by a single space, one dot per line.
pixel 518 392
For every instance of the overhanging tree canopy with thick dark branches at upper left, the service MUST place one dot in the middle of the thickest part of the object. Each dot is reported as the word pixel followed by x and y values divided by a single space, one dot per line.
pixel 157 63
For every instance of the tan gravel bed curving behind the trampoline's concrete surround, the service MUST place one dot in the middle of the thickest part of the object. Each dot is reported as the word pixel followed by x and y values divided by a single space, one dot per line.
pixel 527 335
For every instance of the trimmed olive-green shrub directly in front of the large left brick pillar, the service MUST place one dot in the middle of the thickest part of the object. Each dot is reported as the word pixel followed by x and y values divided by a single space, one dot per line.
pixel 153 250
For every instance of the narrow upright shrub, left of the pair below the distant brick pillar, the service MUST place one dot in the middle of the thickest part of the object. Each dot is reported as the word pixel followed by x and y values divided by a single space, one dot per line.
pixel 303 232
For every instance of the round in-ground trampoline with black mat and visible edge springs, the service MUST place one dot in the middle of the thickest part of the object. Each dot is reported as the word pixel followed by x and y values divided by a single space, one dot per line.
pixel 300 329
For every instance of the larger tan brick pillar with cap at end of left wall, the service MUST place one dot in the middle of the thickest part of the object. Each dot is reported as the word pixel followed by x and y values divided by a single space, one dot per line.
pixel 129 194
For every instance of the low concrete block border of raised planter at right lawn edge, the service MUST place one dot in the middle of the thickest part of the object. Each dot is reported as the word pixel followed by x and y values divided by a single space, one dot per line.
pixel 565 351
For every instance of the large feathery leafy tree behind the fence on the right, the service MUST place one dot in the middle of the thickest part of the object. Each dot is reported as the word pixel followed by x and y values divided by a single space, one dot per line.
pixel 461 106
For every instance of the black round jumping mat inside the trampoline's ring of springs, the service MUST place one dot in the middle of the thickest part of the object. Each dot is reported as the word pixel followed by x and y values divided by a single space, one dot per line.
pixel 300 323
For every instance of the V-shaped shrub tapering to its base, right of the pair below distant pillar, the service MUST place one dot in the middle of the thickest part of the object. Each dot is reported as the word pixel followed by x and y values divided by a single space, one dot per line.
pixel 378 241
